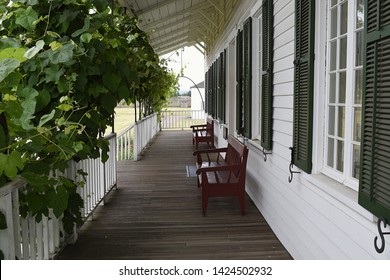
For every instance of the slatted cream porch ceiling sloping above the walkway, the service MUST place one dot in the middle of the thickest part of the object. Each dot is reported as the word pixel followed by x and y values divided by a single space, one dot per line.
pixel 172 24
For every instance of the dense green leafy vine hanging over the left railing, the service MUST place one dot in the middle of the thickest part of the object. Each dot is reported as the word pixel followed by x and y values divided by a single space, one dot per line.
pixel 64 66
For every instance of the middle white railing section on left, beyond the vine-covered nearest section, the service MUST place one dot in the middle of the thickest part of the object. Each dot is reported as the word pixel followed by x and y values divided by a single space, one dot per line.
pixel 136 137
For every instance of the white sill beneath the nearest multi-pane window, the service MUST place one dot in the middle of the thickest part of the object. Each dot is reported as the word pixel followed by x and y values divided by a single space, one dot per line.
pixel 340 192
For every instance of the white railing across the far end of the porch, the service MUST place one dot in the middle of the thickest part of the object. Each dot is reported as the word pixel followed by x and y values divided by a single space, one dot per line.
pixel 182 119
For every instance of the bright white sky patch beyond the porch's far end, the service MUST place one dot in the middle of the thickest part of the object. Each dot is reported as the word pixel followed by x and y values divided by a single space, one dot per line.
pixel 193 63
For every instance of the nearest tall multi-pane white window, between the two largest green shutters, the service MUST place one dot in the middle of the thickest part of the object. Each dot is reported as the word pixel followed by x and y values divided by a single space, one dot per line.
pixel 344 90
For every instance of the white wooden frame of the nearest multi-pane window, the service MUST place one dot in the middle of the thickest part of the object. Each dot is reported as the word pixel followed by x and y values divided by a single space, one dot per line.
pixel 321 96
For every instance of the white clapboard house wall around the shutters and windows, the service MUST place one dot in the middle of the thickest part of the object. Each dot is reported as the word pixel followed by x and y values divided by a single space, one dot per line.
pixel 314 217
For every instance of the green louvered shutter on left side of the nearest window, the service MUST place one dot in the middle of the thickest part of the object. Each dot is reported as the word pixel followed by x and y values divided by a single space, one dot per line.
pixel 303 84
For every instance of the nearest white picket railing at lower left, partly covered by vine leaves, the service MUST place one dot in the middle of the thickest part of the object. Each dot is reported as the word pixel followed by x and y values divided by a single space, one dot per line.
pixel 25 239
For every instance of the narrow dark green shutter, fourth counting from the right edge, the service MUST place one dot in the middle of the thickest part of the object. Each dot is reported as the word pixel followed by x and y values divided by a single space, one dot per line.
pixel 247 79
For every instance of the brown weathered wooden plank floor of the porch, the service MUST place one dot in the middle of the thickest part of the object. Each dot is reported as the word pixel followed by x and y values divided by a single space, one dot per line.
pixel 156 214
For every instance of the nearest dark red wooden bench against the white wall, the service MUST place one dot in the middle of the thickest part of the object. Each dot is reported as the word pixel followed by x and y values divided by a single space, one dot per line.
pixel 225 176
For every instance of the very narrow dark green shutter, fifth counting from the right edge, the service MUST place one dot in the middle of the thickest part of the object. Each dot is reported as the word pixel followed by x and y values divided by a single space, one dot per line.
pixel 239 72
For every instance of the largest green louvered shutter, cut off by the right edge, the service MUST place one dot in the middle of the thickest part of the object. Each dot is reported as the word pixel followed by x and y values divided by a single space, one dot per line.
pixel 374 188
